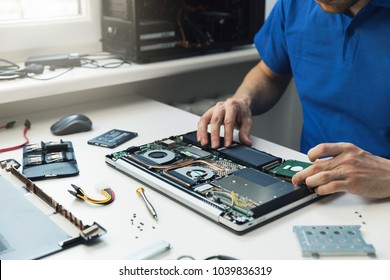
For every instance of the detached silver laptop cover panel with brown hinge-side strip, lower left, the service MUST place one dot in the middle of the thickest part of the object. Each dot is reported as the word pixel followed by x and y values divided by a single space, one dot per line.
pixel 32 224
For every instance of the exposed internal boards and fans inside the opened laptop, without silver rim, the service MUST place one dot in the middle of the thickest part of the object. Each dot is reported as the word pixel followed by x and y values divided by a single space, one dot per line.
pixel 237 180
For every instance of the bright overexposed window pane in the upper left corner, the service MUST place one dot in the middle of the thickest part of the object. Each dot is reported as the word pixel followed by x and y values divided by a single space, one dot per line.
pixel 19 10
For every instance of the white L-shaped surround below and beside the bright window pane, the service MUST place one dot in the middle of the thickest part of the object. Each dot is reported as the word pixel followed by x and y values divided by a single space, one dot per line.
pixel 80 35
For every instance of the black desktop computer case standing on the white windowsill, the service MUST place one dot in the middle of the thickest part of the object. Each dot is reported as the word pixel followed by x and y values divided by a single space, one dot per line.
pixel 154 30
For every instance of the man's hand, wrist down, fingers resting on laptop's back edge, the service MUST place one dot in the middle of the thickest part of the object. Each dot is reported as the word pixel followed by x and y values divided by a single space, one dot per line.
pixel 229 113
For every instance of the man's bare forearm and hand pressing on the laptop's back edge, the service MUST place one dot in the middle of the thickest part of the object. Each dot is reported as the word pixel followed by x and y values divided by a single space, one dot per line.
pixel 259 91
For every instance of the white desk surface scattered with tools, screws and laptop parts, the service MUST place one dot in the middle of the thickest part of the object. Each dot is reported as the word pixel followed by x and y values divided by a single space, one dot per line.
pixel 187 232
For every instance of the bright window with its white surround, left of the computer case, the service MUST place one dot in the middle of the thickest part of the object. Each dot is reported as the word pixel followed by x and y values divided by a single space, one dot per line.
pixel 43 27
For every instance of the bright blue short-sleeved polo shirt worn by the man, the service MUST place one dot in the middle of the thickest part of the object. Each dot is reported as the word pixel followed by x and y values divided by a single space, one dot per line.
pixel 341 66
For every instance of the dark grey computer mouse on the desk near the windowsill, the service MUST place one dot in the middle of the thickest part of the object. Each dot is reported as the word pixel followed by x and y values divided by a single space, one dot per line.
pixel 71 124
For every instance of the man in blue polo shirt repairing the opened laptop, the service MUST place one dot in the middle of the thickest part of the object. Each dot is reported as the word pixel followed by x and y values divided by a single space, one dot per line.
pixel 338 52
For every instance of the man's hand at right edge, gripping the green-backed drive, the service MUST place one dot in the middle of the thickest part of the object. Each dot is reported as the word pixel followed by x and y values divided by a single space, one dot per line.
pixel 343 167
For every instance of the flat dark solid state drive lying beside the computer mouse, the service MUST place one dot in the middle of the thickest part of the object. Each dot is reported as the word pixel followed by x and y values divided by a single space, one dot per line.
pixel 112 138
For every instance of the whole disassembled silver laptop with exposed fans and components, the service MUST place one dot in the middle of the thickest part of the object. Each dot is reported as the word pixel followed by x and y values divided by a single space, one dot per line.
pixel 240 188
